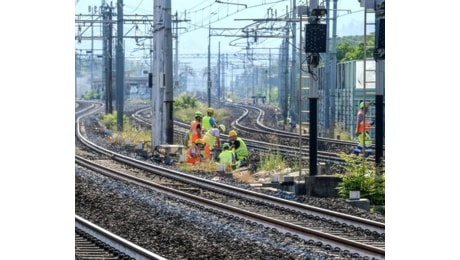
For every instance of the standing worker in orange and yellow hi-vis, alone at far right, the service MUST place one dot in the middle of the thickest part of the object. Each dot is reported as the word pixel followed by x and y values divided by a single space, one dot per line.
pixel 362 128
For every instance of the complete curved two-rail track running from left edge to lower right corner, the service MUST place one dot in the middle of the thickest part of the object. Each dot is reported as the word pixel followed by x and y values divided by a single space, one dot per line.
pixel 368 228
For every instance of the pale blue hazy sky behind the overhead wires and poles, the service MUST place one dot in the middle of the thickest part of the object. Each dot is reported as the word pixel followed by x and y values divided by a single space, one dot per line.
pixel 197 15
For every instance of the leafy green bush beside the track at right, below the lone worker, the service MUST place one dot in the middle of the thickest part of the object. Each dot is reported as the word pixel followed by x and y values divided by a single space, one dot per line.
pixel 362 175
